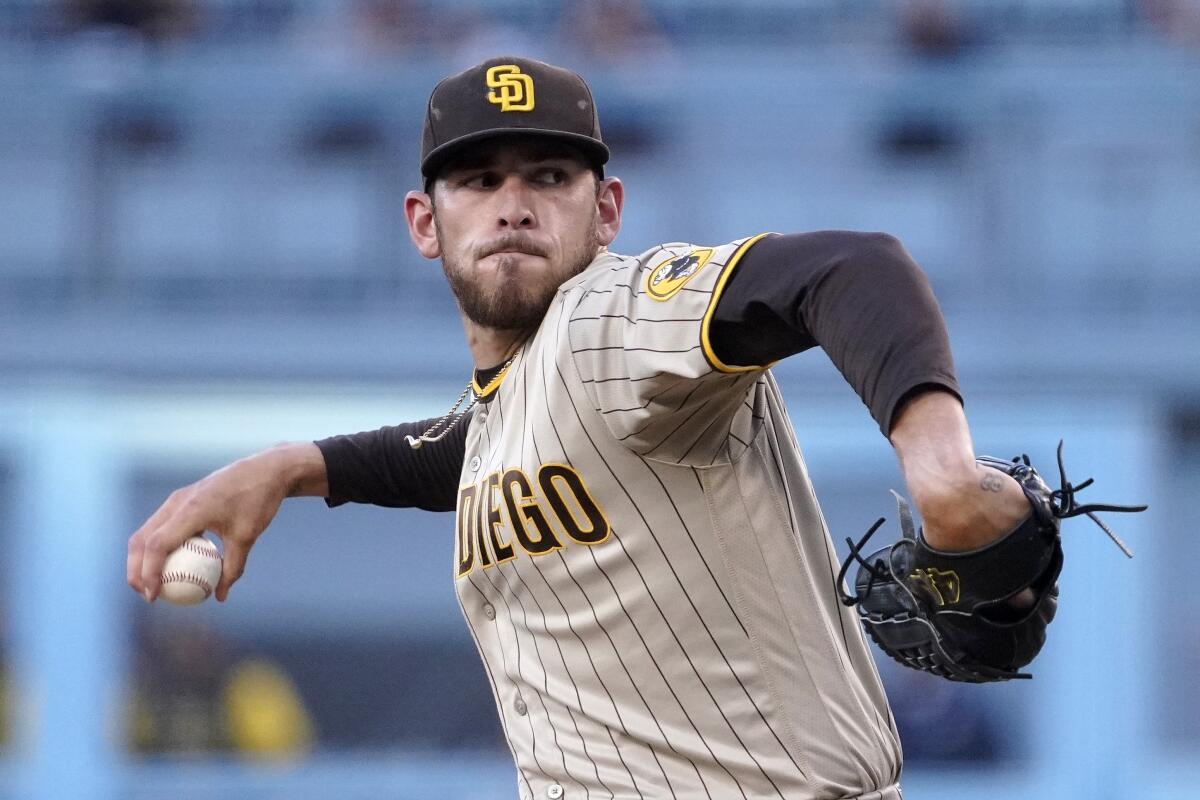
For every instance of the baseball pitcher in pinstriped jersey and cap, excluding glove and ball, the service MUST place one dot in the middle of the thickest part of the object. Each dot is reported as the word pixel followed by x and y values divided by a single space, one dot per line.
pixel 639 552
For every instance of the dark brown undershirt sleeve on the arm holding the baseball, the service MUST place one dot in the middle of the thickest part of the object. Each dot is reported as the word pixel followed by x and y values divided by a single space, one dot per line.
pixel 379 467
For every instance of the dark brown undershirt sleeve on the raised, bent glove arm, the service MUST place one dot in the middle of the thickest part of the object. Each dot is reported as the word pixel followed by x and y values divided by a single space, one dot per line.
pixel 860 297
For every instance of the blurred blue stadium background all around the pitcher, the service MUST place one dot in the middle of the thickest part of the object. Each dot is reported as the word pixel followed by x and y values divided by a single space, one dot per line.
pixel 202 254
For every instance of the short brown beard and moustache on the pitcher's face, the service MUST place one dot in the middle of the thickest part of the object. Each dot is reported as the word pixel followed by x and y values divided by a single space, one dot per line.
pixel 509 302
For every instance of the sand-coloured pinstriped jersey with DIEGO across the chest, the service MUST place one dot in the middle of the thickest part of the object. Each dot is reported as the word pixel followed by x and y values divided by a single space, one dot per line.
pixel 645 568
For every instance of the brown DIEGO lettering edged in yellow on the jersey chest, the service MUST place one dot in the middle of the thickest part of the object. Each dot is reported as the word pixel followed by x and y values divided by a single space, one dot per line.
pixel 507 514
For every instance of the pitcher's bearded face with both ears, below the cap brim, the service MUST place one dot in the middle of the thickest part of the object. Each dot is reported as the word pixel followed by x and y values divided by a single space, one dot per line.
pixel 513 220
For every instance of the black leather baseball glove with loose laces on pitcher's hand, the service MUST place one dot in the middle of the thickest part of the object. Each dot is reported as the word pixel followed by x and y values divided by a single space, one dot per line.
pixel 950 613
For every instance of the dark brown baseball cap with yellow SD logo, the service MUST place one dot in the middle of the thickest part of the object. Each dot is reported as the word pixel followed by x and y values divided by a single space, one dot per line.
pixel 511 95
